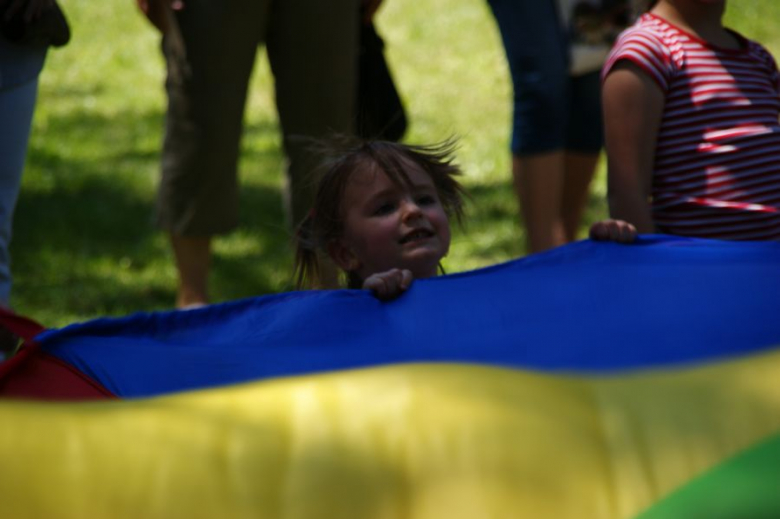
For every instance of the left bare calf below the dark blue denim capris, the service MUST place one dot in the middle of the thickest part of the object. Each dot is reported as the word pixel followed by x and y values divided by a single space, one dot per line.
pixel 538 181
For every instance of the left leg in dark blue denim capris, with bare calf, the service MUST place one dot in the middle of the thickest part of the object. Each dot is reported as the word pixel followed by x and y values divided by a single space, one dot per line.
pixel 537 56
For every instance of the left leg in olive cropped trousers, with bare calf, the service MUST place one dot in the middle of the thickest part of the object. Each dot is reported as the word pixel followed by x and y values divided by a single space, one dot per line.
pixel 209 53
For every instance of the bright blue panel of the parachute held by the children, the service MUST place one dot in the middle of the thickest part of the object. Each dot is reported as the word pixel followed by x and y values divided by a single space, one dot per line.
pixel 587 307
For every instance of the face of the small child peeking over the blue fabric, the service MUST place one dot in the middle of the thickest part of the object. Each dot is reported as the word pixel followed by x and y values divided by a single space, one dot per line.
pixel 389 226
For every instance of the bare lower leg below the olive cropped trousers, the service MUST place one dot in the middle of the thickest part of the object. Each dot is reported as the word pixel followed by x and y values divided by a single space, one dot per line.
pixel 193 261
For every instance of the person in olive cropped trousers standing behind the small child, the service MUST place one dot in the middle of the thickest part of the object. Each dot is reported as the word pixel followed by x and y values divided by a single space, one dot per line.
pixel 210 48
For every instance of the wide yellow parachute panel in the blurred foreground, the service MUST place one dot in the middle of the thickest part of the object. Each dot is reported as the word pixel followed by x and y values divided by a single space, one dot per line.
pixel 408 441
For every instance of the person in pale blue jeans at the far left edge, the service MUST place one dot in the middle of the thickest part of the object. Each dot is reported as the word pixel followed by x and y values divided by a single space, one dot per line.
pixel 27 29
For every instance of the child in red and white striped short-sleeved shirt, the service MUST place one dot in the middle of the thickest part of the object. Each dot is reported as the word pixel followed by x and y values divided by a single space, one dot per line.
pixel 691 120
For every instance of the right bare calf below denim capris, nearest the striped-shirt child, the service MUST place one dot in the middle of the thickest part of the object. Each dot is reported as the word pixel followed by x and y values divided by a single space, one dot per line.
pixel 580 168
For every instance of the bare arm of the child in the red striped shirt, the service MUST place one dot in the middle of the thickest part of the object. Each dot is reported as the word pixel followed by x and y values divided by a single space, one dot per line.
pixel 633 106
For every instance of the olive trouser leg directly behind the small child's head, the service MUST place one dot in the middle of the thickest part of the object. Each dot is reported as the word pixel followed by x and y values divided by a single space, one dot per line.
pixel 312 50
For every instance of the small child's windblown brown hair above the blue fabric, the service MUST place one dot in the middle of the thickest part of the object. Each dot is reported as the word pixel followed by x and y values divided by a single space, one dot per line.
pixel 343 156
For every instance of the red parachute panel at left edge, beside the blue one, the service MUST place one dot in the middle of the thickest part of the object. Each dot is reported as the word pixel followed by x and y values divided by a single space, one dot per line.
pixel 33 374
